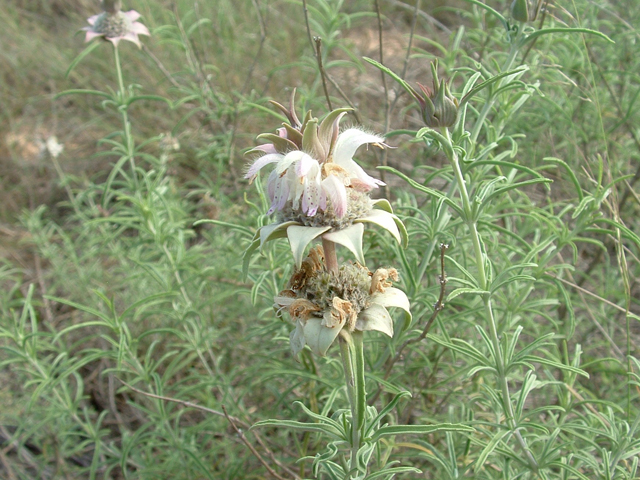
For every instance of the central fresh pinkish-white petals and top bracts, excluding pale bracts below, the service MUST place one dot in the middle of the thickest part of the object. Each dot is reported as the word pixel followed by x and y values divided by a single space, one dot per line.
pixel 314 166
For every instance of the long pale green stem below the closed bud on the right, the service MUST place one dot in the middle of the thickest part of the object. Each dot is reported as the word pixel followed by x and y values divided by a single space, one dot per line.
pixel 471 222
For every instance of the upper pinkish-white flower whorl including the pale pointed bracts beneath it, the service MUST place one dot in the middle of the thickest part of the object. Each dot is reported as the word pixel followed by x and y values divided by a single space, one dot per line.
pixel 316 188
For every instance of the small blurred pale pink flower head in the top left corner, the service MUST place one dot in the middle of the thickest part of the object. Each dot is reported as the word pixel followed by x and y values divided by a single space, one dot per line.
pixel 115 25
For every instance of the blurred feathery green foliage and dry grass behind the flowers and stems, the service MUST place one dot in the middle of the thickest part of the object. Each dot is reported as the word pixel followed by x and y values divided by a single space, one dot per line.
pixel 112 297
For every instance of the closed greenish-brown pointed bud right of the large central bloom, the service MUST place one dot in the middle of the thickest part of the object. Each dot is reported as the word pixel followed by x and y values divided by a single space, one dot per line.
pixel 439 108
